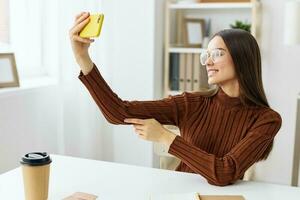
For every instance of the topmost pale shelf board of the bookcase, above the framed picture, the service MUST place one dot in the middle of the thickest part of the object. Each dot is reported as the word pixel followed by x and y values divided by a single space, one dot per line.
pixel 210 5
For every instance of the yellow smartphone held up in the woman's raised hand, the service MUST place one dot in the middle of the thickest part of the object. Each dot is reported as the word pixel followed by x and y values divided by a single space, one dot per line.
pixel 93 28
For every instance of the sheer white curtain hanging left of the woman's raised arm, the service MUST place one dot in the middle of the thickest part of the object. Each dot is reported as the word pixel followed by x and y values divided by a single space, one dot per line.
pixel 80 122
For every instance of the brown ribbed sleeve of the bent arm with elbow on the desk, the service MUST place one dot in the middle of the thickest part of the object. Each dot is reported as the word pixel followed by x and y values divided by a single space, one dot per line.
pixel 229 168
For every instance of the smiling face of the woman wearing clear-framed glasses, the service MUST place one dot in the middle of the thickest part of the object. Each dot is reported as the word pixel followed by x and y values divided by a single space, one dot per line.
pixel 219 64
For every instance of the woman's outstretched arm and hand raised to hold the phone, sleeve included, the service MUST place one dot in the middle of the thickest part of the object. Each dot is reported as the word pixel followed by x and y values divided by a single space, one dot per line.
pixel 115 110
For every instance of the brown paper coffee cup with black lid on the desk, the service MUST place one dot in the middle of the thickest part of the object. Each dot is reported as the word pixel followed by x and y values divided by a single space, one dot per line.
pixel 36 169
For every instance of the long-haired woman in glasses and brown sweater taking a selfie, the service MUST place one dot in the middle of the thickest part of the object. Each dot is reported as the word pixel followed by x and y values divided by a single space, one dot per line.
pixel 223 134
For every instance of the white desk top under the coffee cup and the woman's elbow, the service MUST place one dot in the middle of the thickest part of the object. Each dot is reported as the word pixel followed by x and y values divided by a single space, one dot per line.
pixel 111 181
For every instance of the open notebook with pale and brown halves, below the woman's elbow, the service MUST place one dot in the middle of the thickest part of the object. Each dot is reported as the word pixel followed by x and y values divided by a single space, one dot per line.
pixel 194 196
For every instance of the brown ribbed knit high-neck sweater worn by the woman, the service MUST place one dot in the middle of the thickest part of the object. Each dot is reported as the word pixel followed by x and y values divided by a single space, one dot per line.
pixel 220 137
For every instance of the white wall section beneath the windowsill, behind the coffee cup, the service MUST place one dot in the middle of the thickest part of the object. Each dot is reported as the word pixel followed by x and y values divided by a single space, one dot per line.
pixel 28 122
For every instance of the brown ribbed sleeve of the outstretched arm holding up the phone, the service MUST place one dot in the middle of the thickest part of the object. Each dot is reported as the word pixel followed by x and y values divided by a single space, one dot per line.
pixel 169 110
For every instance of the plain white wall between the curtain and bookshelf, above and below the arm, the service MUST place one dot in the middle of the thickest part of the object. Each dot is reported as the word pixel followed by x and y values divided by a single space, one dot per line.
pixel 129 56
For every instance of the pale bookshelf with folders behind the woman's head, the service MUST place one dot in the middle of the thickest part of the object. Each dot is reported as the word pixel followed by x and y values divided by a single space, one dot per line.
pixel 217 16
